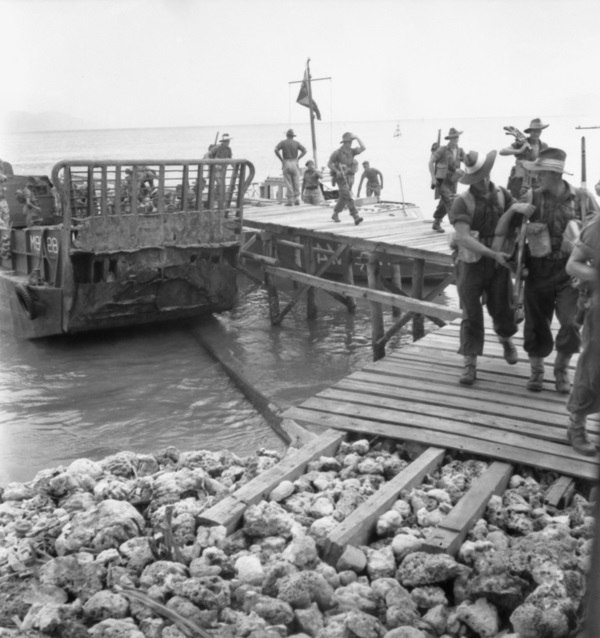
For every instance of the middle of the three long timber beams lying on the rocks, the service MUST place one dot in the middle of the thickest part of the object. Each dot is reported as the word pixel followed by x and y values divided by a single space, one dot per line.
pixel 357 528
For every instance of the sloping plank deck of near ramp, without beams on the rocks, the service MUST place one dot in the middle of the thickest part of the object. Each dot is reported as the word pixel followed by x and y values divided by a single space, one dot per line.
pixel 414 394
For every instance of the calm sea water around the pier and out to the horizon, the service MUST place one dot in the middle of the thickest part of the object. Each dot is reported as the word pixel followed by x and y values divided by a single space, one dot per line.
pixel 144 389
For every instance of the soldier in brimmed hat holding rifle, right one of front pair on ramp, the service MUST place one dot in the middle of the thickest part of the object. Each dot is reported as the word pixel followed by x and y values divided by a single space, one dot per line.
pixel 556 205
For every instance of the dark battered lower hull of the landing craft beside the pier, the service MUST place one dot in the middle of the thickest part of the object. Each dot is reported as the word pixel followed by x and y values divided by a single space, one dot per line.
pixel 31 312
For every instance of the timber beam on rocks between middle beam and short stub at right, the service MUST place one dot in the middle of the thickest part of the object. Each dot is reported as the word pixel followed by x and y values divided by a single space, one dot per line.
pixel 450 534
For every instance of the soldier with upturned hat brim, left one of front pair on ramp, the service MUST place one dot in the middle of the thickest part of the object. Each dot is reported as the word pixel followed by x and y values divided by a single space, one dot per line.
pixel 480 263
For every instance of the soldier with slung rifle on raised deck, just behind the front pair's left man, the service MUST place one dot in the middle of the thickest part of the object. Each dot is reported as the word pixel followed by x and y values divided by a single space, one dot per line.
pixel 444 167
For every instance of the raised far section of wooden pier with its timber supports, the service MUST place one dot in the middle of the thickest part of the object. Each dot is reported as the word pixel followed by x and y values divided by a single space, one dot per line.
pixel 370 261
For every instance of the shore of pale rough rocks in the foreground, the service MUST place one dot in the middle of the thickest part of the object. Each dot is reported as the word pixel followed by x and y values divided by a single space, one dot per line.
pixel 114 549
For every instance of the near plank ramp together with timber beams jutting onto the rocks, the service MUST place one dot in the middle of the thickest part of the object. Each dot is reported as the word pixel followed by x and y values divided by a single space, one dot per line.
pixel 413 395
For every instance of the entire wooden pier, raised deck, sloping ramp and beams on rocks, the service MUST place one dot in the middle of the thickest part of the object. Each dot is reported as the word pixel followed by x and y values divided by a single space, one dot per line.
pixel 412 395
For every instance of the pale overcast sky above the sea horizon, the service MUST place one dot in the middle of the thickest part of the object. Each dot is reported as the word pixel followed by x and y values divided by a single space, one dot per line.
pixel 139 63
